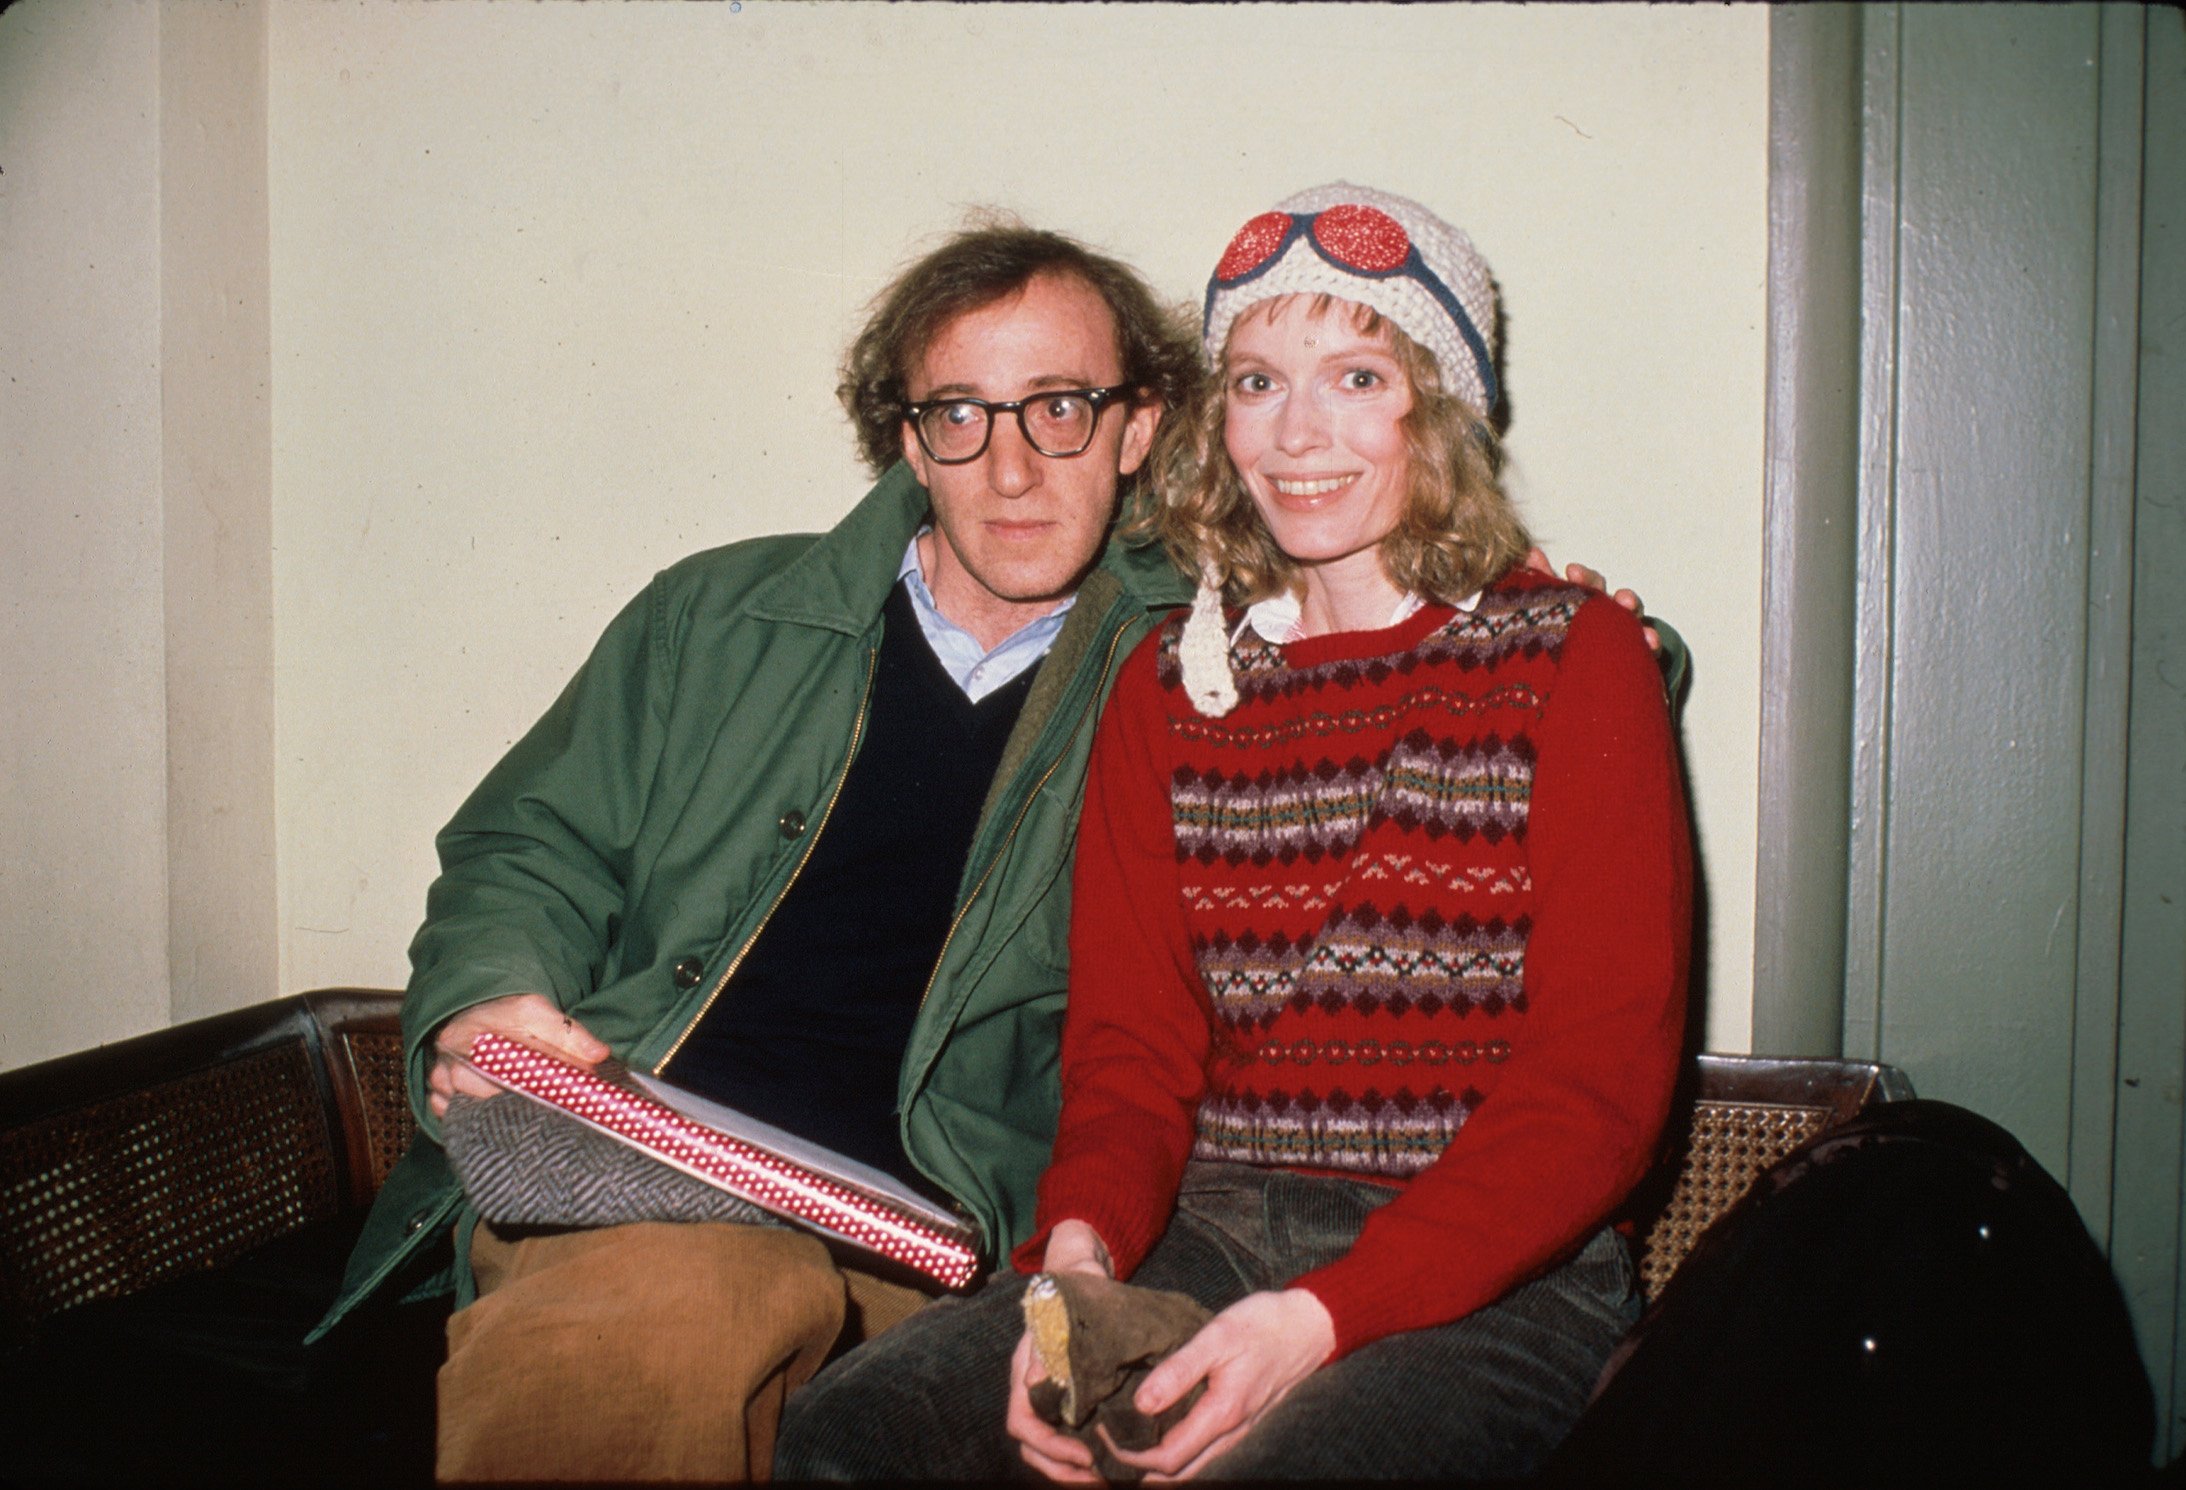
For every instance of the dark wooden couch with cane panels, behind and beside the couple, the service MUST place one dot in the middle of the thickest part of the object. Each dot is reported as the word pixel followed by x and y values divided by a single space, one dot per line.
pixel 198 1187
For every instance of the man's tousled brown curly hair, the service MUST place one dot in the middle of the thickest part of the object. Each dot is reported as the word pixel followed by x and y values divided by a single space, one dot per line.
pixel 987 261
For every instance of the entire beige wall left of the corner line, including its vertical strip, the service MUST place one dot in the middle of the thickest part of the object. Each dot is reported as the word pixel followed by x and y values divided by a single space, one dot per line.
pixel 137 744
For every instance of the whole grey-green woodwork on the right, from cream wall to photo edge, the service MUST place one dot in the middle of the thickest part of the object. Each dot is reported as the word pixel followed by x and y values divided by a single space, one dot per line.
pixel 1973 825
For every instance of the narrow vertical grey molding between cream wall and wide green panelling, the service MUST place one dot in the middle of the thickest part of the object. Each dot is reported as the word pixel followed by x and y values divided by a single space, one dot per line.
pixel 1809 528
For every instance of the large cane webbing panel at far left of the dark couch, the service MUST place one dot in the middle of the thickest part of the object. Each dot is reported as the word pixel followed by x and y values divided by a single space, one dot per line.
pixel 189 1174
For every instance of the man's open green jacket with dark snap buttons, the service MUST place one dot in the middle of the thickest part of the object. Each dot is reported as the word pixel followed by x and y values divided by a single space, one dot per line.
pixel 663 805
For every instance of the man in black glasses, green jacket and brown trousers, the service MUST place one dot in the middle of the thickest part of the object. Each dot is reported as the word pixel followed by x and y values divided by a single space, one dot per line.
pixel 797 838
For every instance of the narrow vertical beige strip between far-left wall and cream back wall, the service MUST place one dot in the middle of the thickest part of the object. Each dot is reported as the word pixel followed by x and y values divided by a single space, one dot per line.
pixel 218 501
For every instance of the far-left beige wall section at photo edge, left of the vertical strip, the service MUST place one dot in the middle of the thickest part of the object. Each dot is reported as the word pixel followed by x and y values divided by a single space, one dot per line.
pixel 82 635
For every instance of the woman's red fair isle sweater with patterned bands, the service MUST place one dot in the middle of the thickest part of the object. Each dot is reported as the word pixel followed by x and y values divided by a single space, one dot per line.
pixel 1418 910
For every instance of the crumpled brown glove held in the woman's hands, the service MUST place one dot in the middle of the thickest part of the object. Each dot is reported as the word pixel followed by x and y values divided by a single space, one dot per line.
pixel 1098 1340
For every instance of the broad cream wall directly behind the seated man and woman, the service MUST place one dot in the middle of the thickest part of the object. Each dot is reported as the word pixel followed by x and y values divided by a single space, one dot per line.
pixel 556 296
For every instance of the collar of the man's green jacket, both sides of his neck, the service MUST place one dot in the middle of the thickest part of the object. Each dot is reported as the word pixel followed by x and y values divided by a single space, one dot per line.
pixel 845 578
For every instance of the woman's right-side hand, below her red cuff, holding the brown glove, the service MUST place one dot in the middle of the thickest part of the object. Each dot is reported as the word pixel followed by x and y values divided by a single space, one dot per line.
pixel 1251 1356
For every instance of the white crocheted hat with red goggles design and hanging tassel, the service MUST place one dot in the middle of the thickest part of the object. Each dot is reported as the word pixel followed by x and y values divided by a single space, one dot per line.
pixel 1378 250
